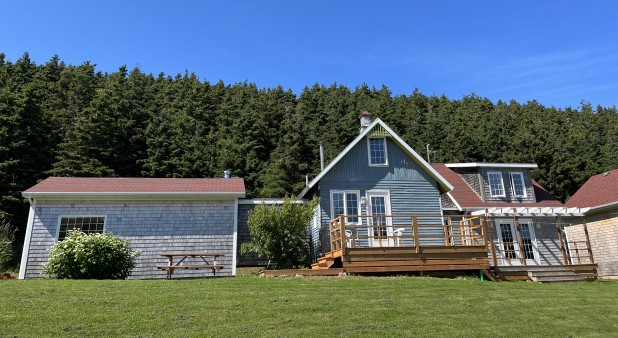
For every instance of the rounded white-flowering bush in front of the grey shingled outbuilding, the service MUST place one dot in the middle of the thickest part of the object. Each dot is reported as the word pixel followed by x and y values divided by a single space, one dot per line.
pixel 98 256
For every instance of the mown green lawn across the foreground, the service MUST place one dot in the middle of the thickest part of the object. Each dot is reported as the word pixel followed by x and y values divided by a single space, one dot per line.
pixel 352 306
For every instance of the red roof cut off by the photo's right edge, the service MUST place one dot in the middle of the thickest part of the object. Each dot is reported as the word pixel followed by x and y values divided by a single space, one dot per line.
pixel 599 190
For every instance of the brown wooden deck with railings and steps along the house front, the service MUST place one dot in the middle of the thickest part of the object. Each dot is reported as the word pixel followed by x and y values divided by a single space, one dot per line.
pixel 392 246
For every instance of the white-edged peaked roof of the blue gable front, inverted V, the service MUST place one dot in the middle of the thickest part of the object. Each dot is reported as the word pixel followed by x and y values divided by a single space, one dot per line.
pixel 443 185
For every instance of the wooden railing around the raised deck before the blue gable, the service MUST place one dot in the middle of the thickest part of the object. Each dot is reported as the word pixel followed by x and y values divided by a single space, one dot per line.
pixel 406 231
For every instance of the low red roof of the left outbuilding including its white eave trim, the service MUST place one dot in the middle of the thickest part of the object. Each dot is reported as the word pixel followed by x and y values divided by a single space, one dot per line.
pixel 134 187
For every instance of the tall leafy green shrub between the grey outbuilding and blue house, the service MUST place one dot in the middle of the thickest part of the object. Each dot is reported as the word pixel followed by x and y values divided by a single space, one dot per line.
pixel 278 233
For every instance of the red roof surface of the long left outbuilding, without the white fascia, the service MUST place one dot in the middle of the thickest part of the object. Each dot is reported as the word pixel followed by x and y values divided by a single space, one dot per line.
pixel 138 185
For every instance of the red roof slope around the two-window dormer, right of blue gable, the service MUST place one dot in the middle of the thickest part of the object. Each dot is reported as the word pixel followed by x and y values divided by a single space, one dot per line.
pixel 466 198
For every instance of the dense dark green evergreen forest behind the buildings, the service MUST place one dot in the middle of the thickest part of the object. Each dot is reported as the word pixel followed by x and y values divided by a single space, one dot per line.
pixel 68 120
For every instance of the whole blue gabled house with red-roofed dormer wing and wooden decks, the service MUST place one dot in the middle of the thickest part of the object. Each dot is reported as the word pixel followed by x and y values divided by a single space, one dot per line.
pixel 384 209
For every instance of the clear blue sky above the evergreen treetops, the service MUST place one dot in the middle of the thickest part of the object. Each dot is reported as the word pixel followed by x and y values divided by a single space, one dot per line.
pixel 556 52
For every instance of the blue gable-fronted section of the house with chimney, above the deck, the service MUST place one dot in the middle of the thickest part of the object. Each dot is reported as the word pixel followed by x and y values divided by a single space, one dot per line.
pixel 377 175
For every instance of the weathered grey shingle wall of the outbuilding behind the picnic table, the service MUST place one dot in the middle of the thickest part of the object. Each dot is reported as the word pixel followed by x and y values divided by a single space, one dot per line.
pixel 150 226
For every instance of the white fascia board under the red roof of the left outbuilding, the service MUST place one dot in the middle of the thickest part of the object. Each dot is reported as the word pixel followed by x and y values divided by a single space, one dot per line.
pixel 132 195
